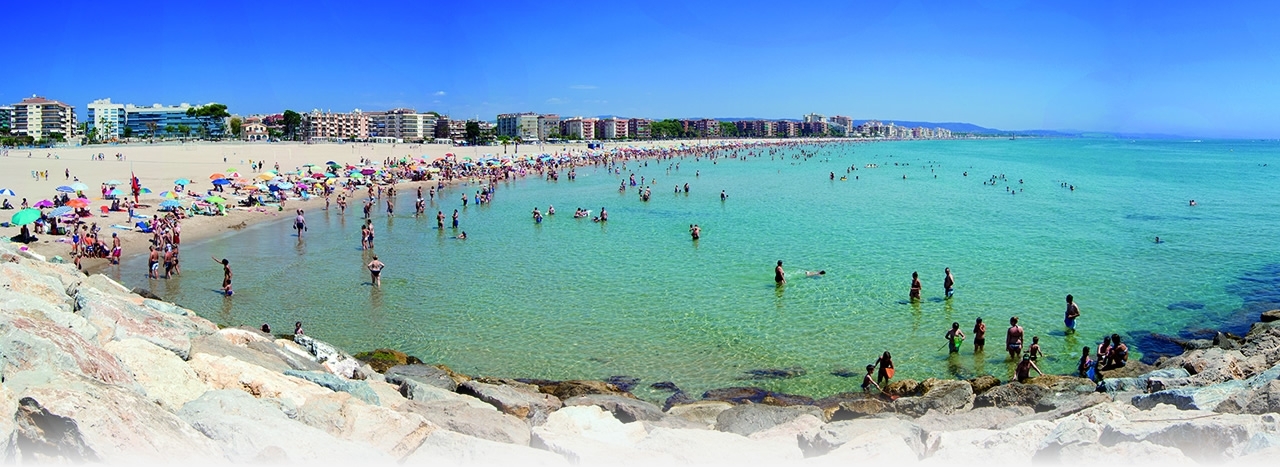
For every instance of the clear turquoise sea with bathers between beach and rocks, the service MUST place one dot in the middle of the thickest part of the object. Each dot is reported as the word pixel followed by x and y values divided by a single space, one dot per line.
pixel 570 299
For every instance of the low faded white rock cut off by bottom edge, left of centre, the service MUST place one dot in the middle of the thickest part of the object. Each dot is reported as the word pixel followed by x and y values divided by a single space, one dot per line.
pixel 452 448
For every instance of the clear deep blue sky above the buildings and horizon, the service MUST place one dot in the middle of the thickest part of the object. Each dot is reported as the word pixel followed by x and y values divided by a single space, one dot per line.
pixel 1158 67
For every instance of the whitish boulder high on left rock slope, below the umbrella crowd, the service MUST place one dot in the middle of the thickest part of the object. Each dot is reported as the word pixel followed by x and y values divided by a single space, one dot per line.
pixel 120 318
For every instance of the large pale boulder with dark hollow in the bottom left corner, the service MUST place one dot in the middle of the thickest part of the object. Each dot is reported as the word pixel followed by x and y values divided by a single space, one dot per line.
pixel 75 419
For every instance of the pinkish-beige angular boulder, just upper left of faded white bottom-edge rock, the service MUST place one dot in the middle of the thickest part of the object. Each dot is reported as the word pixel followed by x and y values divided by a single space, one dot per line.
pixel 351 419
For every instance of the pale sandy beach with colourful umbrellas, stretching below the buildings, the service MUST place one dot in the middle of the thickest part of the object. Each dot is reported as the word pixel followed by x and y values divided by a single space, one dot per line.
pixel 161 164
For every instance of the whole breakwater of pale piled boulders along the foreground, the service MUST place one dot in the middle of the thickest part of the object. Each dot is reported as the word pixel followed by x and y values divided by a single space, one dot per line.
pixel 94 373
